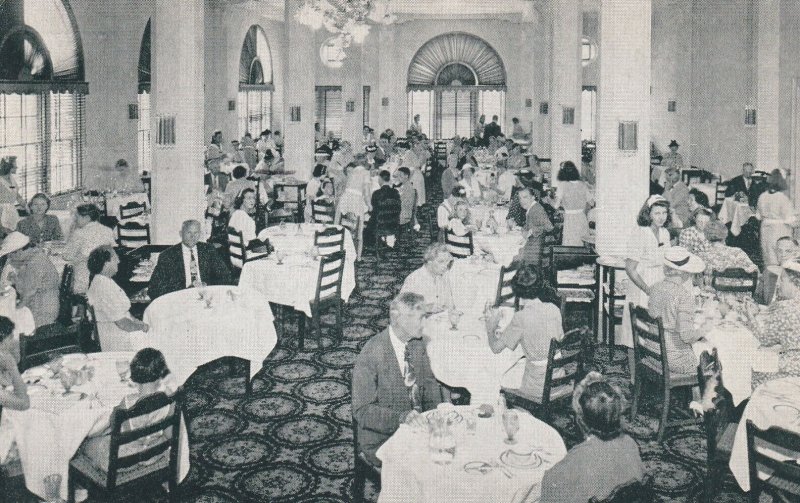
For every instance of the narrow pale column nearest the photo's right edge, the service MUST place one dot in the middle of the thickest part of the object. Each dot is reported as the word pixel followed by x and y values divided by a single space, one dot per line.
pixel 768 79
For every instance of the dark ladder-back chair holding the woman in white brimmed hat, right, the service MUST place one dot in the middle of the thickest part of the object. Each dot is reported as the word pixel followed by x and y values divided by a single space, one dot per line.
pixel 652 362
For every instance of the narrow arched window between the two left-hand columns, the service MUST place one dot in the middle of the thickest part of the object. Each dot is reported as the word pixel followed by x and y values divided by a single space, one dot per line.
pixel 255 83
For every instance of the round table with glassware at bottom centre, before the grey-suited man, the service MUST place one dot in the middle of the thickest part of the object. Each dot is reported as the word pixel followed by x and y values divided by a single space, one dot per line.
pixel 483 467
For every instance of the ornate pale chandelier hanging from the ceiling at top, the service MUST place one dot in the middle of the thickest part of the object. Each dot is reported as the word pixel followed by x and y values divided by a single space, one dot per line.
pixel 346 18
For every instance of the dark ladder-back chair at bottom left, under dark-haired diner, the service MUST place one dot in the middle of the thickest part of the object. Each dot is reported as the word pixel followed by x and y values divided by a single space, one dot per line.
pixel 130 473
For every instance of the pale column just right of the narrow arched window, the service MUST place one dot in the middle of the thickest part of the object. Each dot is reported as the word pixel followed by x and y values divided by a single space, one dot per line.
pixel 299 77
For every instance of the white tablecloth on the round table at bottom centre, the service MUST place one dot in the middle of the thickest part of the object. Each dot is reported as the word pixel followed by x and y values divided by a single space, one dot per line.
pixel 408 474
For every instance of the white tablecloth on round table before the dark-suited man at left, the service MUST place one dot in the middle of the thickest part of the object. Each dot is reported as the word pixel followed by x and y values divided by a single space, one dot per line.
pixel 190 335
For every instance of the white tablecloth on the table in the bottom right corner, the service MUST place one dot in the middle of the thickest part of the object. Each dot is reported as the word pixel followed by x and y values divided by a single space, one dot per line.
pixel 774 403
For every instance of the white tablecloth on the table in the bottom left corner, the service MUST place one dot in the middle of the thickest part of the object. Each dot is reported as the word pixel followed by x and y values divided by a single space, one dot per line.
pixel 50 432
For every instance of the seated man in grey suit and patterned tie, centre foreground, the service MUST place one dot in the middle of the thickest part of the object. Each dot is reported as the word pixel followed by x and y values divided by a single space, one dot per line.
pixel 392 378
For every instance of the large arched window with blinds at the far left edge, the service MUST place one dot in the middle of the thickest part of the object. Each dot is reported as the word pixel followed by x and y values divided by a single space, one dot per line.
pixel 42 93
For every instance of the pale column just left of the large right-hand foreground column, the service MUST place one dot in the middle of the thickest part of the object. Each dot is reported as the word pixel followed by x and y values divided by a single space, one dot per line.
pixel 565 83
